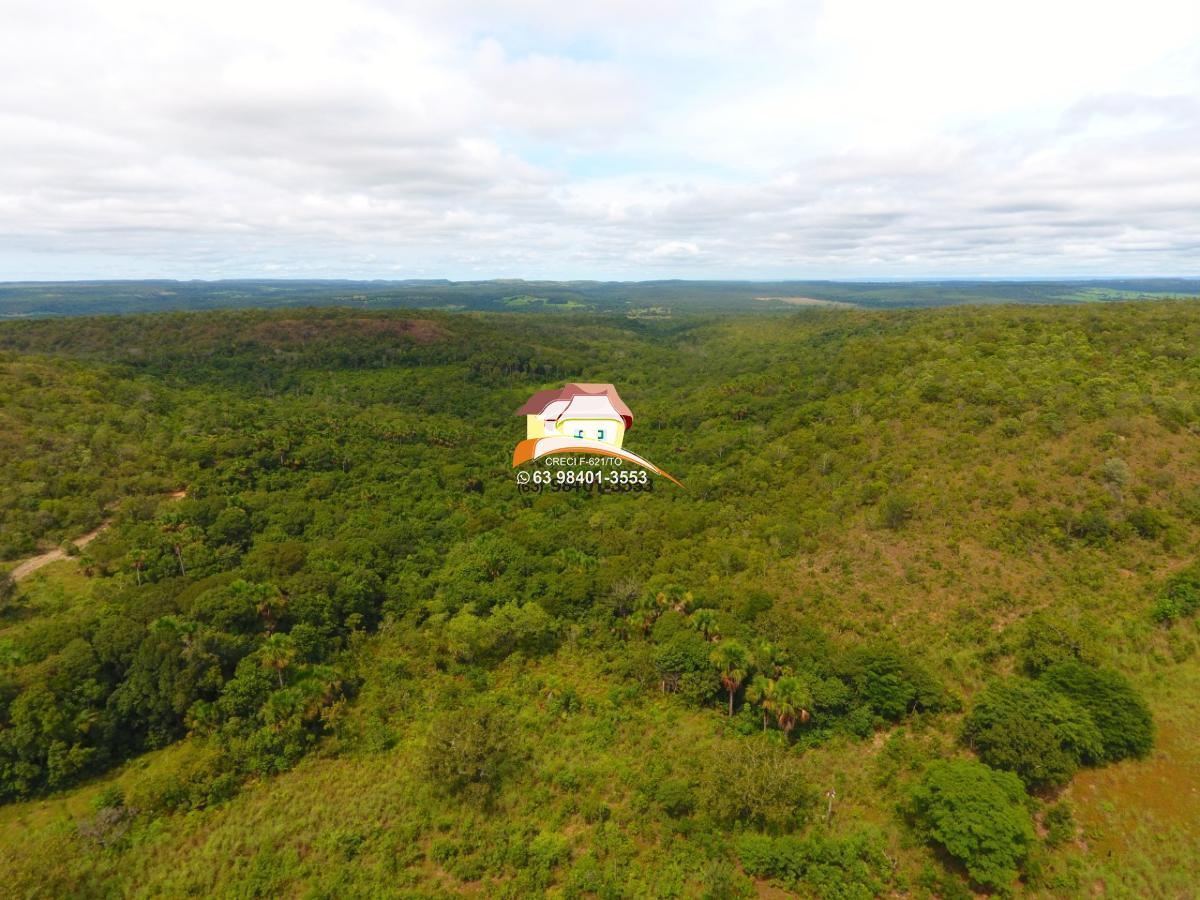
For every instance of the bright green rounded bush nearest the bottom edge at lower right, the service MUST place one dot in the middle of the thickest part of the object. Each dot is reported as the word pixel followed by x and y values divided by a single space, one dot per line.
pixel 977 815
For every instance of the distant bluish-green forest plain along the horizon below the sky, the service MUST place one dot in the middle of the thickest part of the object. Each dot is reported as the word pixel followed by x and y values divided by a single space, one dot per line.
pixel 643 299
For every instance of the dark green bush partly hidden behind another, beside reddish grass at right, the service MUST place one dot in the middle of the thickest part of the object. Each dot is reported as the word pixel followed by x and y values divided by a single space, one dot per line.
pixel 1114 705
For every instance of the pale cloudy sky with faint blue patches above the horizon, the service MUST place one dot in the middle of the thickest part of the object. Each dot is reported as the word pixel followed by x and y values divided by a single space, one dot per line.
pixel 602 140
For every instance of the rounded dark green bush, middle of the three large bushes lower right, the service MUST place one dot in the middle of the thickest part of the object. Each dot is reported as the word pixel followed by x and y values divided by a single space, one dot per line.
pixel 1023 727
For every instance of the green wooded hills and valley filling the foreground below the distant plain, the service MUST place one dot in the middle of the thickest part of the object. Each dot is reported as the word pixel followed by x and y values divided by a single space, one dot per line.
pixel 921 622
